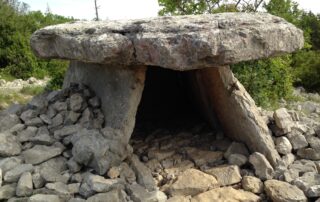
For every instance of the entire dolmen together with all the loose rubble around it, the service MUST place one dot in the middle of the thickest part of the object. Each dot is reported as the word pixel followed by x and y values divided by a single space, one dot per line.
pixel 74 144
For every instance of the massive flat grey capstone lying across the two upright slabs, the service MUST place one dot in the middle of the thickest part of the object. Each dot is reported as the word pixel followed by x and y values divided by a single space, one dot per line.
pixel 175 42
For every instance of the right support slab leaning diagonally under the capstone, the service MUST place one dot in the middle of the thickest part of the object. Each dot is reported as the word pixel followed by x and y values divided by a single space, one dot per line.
pixel 235 100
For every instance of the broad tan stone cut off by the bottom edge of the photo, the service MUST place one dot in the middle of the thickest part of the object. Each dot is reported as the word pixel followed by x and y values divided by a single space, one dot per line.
pixel 226 194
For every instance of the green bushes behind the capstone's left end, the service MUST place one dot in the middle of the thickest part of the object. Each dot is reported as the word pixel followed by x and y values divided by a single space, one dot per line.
pixel 17 24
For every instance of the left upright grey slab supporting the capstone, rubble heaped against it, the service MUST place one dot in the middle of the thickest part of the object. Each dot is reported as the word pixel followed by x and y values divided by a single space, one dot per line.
pixel 120 89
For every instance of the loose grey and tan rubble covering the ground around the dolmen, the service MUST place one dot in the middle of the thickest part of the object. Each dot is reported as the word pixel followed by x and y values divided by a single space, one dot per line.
pixel 56 149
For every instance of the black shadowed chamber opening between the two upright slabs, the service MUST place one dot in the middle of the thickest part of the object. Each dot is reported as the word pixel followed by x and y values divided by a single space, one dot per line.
pixel 167 102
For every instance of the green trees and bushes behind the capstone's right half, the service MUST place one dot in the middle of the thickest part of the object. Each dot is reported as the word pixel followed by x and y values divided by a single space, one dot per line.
pixel 267 80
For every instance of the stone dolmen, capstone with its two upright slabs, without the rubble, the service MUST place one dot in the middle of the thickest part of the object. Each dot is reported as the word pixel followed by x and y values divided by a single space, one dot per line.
pixel 112 58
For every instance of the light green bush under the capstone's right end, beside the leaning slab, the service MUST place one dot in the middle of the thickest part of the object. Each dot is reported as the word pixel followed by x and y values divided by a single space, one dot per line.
pixel 266 80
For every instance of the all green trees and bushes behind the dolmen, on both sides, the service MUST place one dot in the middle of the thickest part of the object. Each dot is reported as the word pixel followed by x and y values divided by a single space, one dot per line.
pixel 267 80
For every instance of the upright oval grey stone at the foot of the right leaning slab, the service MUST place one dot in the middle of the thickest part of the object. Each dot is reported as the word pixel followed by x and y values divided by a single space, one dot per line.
pixel 261 165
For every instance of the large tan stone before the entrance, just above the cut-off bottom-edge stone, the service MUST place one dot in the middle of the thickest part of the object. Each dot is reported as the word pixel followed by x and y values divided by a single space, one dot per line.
pixel 188 183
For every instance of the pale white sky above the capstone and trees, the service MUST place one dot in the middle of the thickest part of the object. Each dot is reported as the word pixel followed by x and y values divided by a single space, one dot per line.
pixel 120 9
